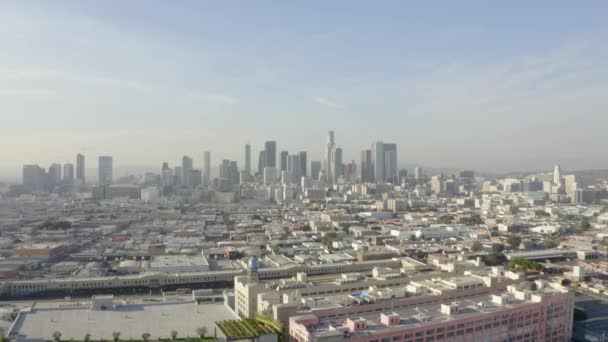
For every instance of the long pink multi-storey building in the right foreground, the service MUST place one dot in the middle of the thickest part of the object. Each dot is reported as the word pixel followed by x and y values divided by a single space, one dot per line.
pixel 514 315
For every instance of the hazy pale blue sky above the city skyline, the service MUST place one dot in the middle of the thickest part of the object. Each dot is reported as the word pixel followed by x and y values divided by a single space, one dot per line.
pixel 517 85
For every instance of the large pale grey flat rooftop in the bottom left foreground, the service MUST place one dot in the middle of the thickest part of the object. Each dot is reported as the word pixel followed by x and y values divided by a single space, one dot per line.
pixel 131 320
